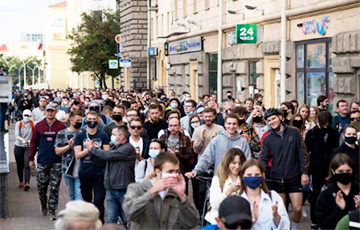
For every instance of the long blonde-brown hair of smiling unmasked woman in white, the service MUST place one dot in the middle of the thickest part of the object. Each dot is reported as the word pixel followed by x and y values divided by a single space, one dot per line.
pixel 223 170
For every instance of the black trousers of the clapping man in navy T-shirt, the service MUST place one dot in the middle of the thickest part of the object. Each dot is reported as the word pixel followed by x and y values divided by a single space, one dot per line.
pixel 90 183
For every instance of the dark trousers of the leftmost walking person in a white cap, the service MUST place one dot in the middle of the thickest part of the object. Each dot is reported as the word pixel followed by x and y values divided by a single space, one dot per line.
pixel 22 162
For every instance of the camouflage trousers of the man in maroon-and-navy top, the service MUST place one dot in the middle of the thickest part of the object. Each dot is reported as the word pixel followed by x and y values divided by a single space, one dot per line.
pixel 49 174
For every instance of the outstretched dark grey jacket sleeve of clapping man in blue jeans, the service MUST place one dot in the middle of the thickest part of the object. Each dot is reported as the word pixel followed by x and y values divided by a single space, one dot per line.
pixel 121 153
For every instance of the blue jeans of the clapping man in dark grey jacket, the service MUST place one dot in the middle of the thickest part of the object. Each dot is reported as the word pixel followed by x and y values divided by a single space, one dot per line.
pixel 114 200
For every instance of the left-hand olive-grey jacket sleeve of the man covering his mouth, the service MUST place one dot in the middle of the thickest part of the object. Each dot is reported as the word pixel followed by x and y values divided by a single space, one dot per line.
pixel 135 205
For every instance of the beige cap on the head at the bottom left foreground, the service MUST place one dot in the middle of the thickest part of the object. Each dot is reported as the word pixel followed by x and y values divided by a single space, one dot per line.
pixel 79 210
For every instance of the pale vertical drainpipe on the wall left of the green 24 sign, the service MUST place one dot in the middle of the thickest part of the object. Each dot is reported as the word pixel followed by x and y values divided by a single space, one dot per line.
pixel 219 70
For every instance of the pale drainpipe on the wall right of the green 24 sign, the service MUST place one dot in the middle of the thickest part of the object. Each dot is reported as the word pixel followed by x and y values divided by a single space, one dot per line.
pixel 283 53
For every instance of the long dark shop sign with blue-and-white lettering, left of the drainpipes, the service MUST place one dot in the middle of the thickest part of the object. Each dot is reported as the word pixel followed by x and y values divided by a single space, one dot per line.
pixel 188 45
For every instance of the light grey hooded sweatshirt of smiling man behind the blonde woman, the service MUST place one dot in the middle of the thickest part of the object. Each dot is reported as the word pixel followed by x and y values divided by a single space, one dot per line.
pixel 216 149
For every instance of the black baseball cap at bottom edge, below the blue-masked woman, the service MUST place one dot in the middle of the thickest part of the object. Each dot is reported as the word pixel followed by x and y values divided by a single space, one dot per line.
pixel 235 209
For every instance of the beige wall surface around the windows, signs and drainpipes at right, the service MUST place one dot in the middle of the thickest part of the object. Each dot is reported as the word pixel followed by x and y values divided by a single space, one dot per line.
pixel 343 29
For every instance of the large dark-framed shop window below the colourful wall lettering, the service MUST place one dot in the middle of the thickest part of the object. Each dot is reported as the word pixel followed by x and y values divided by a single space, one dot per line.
pixel 314 76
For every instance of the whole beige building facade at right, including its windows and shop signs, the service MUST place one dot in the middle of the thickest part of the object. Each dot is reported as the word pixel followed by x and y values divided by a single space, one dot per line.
pixel 322 48
